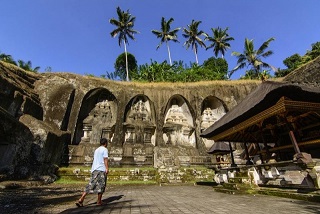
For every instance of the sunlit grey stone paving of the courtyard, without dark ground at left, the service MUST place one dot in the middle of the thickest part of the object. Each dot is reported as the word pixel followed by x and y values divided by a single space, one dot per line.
pixel 188 199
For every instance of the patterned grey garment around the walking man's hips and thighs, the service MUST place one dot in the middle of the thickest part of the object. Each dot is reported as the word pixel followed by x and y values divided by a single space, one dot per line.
pixel 97 183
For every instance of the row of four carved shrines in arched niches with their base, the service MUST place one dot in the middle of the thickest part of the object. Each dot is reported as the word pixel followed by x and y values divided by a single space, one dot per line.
pixel 140 144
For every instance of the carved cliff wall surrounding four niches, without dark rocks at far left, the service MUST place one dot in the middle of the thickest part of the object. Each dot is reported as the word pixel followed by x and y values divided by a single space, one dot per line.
pixel 140 119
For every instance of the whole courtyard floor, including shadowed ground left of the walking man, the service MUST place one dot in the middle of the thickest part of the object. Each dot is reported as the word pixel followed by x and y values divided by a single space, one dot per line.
pixel 148 199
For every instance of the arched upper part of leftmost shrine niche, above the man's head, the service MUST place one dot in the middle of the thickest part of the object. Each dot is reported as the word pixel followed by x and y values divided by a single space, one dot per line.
pixel 97 117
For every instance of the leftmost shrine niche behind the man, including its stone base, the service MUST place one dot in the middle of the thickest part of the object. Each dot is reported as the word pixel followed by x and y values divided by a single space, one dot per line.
pixel 97 119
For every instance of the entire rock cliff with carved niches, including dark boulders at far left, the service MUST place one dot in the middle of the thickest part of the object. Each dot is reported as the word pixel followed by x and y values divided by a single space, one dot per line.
pixel 57 118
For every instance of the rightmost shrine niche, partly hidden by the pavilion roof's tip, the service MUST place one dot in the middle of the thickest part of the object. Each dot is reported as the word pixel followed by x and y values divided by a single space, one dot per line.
pixel 212 110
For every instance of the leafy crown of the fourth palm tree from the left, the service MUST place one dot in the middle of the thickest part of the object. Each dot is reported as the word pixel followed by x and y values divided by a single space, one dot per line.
pixel 219 41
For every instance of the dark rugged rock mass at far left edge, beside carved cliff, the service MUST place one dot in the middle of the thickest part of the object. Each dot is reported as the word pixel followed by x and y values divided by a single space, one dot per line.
pixel 25 139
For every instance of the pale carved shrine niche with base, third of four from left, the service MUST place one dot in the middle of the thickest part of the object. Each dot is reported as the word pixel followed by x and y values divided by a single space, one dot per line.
pixel 179 139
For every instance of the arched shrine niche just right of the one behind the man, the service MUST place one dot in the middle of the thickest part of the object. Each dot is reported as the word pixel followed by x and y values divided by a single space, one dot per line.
pixel 139 127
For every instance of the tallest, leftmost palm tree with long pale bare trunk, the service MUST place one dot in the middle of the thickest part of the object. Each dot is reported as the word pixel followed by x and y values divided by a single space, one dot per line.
pixel 124 26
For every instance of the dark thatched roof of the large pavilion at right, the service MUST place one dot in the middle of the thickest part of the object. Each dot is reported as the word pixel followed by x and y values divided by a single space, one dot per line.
pixel 266 95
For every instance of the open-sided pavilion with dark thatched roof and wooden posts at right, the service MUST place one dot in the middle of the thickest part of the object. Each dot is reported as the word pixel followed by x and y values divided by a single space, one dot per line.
pixel 280 123
